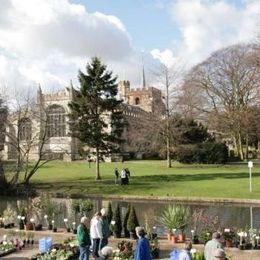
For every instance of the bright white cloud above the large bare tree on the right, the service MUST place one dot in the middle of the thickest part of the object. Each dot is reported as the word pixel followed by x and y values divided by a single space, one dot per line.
pixel 207 25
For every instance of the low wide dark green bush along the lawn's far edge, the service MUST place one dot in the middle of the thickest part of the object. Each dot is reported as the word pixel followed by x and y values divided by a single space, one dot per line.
pixel 209 153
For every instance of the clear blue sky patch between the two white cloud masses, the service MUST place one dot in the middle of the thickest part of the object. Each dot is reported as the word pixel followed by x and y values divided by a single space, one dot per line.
pixel 148 22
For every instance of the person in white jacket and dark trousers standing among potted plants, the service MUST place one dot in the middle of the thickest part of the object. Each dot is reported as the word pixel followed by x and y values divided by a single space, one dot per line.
pixel 96 233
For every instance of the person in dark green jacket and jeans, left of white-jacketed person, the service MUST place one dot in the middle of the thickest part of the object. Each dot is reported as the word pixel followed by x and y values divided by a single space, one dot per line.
pixel 83 238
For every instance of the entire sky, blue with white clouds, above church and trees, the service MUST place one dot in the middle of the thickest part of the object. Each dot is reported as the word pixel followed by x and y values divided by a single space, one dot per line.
pixel 46 42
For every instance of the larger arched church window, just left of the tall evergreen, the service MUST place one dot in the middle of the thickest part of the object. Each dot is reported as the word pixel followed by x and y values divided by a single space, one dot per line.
pixel 56 125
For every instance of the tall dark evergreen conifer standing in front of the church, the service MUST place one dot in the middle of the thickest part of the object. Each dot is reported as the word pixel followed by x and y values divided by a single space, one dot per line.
pixel 96 117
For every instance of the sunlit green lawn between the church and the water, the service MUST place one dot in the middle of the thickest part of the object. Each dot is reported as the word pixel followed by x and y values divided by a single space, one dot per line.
pixel 150 178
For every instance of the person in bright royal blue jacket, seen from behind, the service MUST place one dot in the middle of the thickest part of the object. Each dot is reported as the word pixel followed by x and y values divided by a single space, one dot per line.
pixel 142 251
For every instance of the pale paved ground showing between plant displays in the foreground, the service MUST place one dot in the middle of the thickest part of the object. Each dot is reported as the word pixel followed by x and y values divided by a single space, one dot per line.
pixel 165 247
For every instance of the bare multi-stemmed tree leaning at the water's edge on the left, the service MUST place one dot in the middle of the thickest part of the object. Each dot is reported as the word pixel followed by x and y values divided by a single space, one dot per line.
pixel 27 133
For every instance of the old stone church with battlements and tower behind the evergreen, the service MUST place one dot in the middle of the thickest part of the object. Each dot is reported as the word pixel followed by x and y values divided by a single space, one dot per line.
pixel 139 105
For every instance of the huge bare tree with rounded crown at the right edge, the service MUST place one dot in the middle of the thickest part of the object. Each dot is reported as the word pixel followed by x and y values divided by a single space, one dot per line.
pixel 226 85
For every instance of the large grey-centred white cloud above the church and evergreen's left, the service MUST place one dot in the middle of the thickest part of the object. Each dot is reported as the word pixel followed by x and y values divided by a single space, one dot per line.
pixel 47 41
